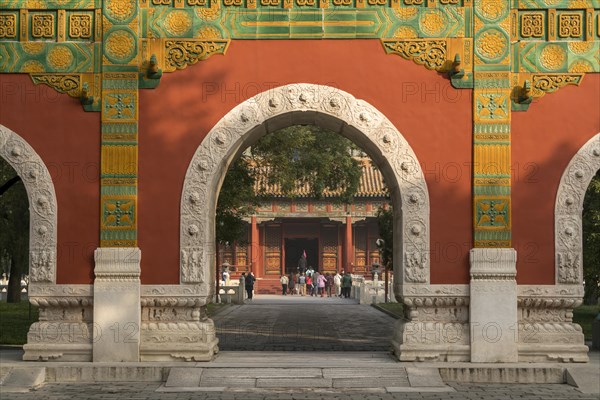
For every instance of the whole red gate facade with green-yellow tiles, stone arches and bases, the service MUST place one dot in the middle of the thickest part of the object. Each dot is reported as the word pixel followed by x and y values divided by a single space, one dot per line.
pixel 482 116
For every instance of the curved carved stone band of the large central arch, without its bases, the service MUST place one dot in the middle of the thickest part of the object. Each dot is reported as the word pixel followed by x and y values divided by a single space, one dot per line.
pixel 305 104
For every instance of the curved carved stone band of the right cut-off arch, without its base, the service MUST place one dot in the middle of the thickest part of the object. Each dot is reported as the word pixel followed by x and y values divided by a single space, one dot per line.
pixel 568 240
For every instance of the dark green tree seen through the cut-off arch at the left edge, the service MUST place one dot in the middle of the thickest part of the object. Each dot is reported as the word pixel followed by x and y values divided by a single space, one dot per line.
pixel 14 229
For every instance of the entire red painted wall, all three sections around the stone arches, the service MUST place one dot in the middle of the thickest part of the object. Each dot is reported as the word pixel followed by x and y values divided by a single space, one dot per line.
pixel 434 118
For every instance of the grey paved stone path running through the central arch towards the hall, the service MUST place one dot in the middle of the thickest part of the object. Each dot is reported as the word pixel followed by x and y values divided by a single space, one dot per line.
pixel 295 323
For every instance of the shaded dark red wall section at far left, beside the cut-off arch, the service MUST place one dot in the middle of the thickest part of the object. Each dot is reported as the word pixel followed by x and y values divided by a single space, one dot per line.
pixel 67 139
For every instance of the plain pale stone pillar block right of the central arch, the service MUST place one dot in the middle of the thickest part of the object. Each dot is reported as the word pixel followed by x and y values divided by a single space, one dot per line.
pixel 493 311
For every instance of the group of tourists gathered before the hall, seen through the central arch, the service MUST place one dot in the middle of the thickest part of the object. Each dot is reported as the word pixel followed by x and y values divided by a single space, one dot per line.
pixel 313 283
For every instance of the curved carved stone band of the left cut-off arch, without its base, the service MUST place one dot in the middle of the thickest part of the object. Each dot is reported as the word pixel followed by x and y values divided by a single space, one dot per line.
pixel 42 205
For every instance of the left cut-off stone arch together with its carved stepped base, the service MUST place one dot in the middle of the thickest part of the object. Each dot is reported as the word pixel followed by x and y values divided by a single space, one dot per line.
pixel 64 327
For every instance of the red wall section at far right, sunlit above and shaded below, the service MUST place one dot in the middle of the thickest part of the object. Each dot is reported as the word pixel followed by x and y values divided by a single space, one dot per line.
pixel 545 139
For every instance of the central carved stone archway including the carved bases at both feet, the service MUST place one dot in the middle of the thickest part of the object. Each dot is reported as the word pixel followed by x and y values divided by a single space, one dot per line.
pixel 362 123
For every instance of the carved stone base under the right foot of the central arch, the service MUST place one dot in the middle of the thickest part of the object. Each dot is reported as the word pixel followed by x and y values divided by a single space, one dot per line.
pixel 435 326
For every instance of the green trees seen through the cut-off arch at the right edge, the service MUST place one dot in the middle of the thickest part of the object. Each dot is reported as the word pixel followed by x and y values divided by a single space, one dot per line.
pixel 591 241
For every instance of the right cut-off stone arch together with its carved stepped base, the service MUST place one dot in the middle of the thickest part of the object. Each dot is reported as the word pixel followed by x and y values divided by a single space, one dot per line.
pixel 546 331
